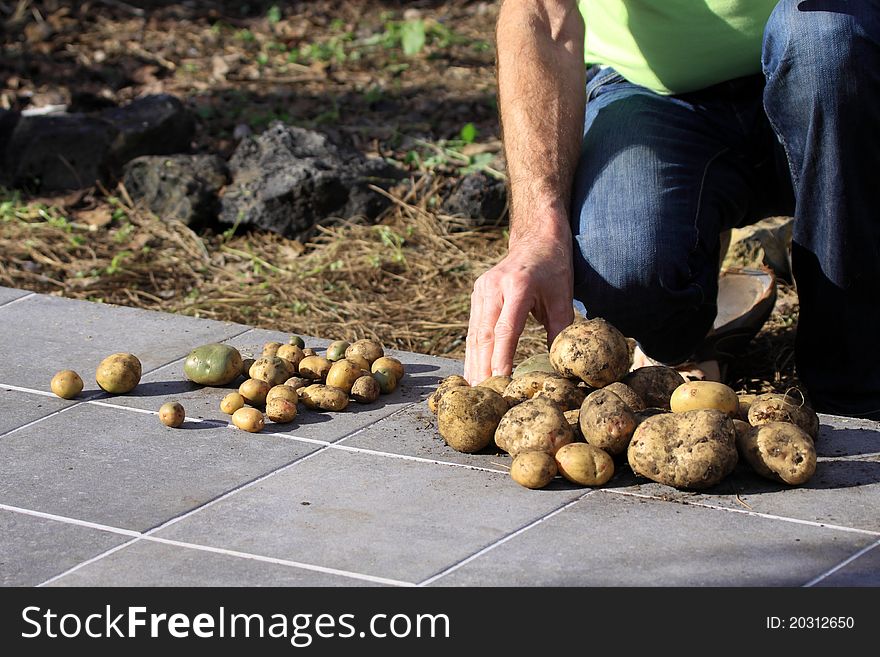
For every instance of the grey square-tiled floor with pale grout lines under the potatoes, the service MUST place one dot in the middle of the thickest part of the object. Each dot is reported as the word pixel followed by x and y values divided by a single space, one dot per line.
pixel 96 492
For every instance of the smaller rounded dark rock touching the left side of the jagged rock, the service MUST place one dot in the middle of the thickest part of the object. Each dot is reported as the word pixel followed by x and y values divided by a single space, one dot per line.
pixel 182 187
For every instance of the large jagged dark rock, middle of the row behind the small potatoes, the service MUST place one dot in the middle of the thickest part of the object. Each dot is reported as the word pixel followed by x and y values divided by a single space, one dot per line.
pixel 289 179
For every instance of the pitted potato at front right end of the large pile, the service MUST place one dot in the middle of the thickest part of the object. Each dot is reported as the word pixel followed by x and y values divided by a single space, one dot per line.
pixel 780 451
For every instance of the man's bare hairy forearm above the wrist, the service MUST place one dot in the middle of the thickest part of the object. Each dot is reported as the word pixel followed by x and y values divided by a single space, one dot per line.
pixel 541 97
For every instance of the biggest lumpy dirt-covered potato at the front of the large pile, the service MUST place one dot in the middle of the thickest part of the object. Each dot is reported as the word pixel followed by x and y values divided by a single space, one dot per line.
pixel 690 450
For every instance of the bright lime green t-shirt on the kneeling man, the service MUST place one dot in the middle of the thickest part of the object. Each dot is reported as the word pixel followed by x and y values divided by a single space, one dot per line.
pixel 675 46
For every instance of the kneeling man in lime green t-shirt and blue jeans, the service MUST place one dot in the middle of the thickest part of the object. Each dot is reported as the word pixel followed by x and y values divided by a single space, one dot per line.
pixel 690 118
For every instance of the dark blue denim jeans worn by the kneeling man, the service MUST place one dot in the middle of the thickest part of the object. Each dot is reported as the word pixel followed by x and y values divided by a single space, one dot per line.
pixel 660 177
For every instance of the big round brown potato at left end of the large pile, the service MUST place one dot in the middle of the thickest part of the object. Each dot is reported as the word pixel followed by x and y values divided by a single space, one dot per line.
pixel 467 417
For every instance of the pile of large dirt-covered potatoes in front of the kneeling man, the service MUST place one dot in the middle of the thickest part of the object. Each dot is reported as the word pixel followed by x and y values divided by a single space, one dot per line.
pixel 581 408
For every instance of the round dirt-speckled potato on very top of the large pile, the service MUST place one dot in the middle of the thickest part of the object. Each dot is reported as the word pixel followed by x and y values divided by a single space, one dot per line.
pixel 593 351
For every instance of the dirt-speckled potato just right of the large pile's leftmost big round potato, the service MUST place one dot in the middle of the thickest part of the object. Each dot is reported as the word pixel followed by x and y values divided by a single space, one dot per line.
pixel 536 424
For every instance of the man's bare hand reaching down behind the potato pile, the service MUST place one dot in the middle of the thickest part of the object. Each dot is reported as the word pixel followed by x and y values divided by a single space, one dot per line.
pixel 534 278
